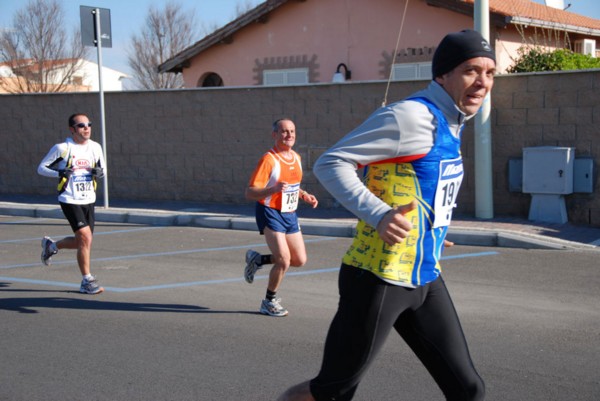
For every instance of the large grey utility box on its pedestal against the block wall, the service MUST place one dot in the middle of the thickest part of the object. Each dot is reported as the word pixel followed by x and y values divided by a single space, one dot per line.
pixel 548 176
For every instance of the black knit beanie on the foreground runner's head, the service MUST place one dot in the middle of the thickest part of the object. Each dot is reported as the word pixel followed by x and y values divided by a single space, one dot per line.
pixel 458 47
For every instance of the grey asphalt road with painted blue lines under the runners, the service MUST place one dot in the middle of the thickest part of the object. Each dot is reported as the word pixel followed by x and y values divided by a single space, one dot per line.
pixel 178 322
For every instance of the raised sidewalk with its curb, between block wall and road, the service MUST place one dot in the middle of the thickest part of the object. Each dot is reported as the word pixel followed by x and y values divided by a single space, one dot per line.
pixel 503 232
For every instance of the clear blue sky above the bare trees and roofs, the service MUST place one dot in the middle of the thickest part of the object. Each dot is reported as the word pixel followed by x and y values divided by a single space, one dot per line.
pixel 127 18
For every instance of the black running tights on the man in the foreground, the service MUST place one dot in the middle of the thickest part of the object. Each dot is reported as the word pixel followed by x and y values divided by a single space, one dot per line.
pixel 425 318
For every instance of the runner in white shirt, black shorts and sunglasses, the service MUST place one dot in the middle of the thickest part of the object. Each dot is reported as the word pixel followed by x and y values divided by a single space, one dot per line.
pixel 76 163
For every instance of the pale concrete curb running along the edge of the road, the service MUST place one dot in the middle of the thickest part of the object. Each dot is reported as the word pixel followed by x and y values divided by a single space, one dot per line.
pixel 321 227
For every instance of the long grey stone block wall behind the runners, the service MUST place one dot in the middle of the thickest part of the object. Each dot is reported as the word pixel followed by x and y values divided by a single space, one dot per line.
pixel 202 144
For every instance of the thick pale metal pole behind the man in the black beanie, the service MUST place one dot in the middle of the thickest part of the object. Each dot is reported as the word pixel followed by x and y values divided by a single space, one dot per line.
pixel 484 194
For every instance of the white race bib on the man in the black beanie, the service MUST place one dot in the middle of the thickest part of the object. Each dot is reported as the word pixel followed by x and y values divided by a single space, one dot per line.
pixel 450 178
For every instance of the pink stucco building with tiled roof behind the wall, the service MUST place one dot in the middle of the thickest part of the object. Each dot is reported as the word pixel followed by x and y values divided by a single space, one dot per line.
pixel 282 42
